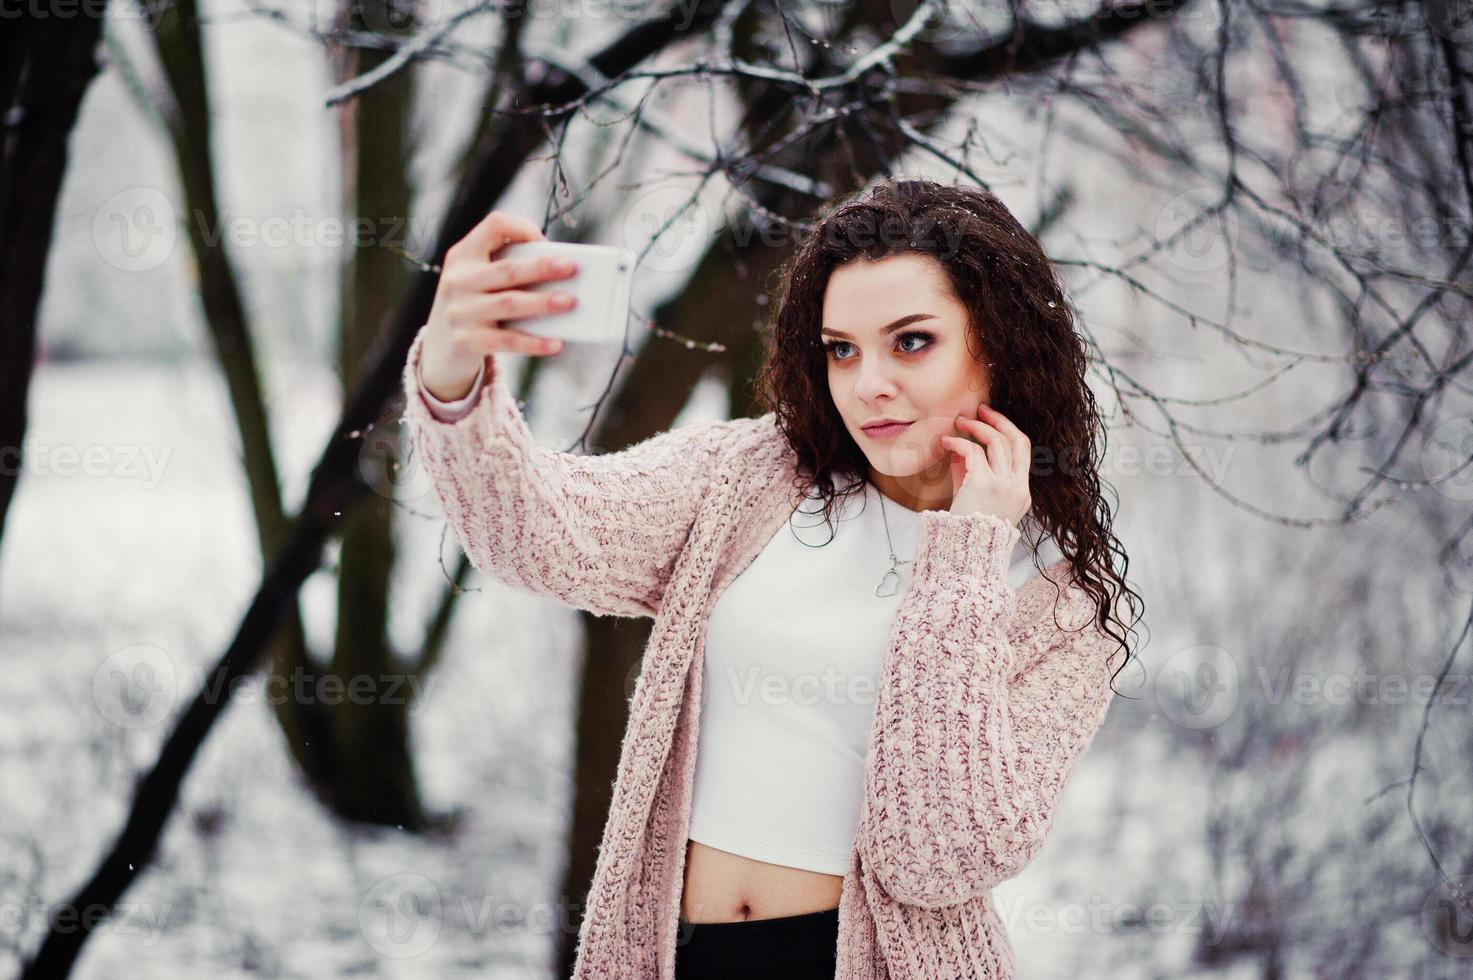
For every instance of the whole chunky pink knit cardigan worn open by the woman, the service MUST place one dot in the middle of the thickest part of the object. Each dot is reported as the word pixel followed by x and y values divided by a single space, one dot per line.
pixel 985 708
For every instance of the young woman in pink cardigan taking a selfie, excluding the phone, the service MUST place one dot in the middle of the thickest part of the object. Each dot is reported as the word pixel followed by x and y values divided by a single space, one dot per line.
pixel 885 611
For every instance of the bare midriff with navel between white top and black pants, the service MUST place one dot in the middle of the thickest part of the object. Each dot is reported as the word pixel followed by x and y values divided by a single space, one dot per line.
pixel 727 888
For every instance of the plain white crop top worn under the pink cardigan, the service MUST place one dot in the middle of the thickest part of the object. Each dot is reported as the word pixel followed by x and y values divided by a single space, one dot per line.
pixel 795 652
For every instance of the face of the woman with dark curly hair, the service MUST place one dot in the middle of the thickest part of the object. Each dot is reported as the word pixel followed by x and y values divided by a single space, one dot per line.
pixel 898 347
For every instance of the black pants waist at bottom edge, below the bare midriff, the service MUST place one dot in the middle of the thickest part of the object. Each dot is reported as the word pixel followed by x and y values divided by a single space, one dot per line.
pixel 787 948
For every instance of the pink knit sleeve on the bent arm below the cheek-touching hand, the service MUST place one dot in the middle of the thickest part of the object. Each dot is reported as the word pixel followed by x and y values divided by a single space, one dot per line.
pixel 974 738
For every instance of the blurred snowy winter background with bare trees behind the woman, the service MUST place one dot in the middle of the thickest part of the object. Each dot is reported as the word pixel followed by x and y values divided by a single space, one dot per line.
pixel 1262 213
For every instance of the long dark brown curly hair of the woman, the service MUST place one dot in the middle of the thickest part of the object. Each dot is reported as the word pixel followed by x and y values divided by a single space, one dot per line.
pixel 1020 322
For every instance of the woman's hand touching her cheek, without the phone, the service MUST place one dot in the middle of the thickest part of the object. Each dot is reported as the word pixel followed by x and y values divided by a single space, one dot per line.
pixel 991 478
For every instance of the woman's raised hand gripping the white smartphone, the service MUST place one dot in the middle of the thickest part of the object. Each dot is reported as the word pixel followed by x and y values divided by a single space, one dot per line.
pixel 477 294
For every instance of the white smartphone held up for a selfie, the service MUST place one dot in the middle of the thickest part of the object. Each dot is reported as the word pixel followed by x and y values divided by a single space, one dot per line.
pixel 603 285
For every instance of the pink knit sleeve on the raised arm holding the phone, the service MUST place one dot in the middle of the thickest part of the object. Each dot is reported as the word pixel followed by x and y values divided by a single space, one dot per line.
pixel 597 533
